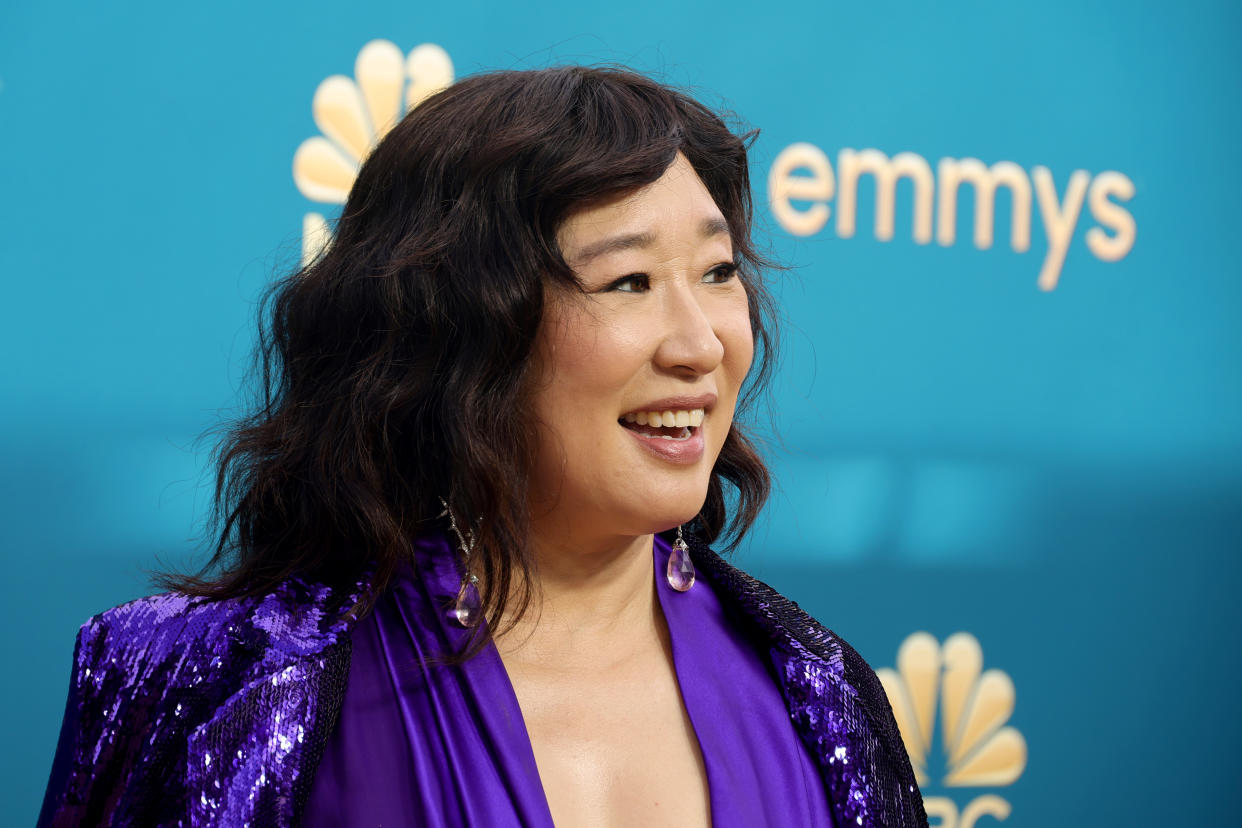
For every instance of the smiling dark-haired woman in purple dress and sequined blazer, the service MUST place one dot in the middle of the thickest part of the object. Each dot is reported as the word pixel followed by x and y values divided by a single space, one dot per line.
pixel 463 574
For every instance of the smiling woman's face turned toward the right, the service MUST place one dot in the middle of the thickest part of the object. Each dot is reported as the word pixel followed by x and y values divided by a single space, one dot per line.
pixel 638 376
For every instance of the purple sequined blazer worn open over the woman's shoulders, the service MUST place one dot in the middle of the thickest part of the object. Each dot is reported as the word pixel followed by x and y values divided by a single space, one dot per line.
pixel 186 712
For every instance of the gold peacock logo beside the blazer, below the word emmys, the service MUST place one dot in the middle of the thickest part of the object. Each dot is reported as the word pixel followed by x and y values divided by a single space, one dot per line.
pixel 977 747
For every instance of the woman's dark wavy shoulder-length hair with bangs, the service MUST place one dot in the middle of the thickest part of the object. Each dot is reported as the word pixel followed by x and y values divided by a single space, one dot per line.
pixel 393 369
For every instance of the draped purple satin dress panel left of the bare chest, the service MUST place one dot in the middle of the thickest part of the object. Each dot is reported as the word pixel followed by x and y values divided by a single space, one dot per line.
pixel 425 744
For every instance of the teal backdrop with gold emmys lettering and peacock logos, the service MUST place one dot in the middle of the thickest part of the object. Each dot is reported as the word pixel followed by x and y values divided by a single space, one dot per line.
pixel 1008 425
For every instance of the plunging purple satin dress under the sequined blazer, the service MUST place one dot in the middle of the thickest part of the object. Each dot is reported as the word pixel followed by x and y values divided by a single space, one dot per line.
pixel 435 745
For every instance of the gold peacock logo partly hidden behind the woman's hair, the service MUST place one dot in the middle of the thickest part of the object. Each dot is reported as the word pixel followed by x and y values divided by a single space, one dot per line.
pixel 355 115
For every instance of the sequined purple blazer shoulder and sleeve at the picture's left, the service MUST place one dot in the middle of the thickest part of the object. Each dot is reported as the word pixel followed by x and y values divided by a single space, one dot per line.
pixel 186 712
